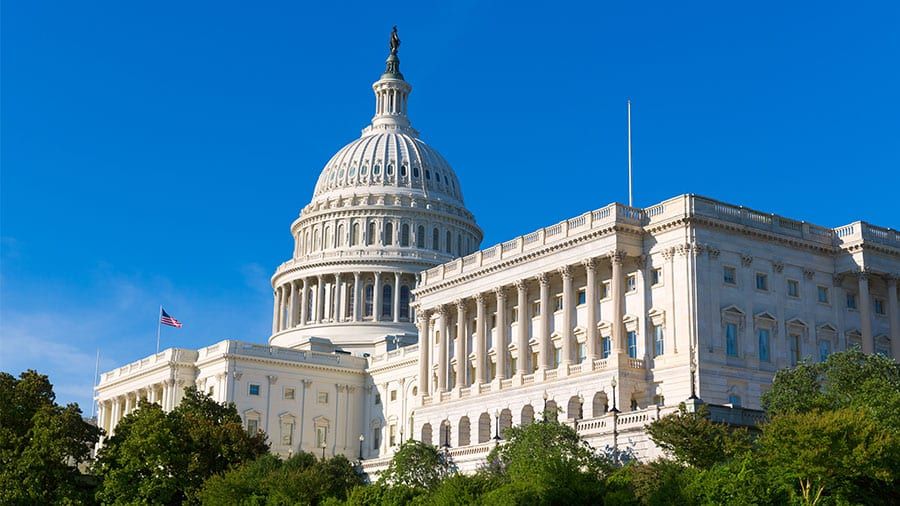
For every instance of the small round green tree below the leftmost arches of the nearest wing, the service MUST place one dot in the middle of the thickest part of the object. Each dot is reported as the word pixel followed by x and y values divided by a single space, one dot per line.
pixel 416 465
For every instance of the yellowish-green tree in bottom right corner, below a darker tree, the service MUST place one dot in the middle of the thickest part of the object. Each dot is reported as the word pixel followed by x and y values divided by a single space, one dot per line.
pixel 844 454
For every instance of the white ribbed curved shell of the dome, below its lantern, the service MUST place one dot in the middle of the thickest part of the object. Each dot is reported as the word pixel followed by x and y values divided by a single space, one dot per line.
pixel 389 159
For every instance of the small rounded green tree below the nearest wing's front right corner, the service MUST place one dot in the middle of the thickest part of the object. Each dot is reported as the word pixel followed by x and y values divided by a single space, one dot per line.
pixel 695 440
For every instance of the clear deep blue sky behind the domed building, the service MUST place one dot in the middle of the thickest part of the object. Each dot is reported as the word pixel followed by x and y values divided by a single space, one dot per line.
pixel 157 152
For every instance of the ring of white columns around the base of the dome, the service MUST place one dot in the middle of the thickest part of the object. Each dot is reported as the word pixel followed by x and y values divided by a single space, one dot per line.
pixel 292 306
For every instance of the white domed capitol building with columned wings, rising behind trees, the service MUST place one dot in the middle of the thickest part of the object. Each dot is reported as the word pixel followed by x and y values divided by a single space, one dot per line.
pixel 390 321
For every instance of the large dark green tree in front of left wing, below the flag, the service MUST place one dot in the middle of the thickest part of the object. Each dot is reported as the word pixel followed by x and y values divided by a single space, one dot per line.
pixel 164 458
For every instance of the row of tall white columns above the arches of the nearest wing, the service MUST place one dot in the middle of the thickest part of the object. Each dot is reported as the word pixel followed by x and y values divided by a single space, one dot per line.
pixel 501 344
